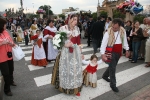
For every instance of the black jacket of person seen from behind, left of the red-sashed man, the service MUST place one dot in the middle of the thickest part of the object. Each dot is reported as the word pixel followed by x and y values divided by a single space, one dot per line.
pixel 97 30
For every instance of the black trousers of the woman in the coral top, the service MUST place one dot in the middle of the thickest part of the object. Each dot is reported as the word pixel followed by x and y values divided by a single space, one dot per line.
pixel 7 69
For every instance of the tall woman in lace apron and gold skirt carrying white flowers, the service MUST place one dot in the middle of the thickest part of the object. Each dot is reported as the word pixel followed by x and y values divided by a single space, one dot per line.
pixel 67 71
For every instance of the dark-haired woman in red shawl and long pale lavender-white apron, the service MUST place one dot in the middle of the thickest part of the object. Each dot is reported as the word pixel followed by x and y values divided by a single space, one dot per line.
pixel 49 32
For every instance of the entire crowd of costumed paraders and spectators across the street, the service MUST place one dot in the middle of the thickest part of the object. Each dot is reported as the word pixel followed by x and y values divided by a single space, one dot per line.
pixel 129 38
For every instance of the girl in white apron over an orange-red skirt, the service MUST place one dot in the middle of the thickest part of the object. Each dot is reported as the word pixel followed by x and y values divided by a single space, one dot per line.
pixel 38 53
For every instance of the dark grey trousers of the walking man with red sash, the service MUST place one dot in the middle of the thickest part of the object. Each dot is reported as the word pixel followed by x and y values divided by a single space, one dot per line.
pixel 111 70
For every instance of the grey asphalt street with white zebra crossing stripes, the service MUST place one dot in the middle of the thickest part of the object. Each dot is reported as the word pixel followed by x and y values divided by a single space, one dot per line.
pixel 33 82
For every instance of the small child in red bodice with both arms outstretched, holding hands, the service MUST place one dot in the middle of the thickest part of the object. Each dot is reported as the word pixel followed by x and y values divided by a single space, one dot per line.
pixel 90 77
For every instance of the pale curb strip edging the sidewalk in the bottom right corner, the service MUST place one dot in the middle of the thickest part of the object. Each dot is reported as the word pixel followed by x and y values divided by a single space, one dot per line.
pixel 137 93
